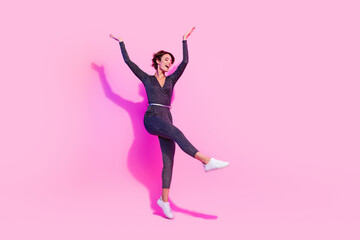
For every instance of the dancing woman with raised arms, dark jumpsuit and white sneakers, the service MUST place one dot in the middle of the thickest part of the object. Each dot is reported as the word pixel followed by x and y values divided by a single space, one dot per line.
pixel 158 119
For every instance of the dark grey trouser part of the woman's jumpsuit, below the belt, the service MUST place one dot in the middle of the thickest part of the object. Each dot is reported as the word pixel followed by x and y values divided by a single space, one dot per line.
pixel 168 134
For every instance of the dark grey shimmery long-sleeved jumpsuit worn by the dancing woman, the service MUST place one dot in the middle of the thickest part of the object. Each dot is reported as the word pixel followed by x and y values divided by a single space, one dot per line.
pixel 158 119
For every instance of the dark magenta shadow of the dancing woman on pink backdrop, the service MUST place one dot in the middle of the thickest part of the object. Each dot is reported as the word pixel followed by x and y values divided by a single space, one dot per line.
pixel 144 156
